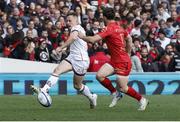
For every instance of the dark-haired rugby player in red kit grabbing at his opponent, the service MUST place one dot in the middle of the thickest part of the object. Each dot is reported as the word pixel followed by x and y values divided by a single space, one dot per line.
pixel 119 44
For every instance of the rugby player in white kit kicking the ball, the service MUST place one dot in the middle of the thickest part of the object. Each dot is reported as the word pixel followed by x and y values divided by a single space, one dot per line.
pixel 77 61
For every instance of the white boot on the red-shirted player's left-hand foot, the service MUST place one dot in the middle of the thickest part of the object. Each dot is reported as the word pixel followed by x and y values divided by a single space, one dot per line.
pixel 116 97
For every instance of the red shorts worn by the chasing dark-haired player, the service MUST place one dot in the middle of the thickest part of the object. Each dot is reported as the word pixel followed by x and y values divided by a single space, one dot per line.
pixel 122 68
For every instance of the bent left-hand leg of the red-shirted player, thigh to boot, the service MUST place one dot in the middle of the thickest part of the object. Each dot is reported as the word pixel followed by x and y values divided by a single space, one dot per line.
pixel 105 71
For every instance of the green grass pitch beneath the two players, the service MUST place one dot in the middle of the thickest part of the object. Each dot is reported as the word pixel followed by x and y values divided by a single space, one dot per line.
pixel 69 108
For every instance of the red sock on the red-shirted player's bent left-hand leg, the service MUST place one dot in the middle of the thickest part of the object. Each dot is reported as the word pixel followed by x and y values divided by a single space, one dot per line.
pixel 107 84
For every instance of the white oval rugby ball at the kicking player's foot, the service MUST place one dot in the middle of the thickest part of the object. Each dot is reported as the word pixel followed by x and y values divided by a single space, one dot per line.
pixel 44 99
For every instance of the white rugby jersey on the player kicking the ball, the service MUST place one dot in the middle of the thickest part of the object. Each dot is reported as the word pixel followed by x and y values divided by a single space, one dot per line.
pixel 79 47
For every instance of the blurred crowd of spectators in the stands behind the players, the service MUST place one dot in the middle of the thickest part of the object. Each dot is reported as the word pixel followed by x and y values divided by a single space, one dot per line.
pixel 33 29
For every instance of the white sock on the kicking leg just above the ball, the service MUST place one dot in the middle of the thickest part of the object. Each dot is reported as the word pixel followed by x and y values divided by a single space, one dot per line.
pixel 50 82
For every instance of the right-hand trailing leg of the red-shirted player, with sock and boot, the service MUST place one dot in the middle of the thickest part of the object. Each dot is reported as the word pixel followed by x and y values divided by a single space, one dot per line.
pixel 122 82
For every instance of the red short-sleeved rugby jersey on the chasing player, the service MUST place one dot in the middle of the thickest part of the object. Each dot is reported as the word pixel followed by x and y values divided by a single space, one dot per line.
pixel 114 36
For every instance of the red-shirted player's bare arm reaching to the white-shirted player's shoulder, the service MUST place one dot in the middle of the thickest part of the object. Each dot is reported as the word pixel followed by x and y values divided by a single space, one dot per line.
pixel 91 39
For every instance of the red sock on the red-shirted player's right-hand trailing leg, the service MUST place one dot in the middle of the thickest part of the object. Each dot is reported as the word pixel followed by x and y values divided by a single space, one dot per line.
pixel 131 92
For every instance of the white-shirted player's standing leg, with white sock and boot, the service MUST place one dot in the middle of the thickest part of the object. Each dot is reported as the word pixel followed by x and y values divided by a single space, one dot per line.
pixel 85 90
